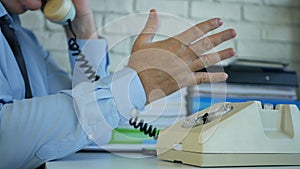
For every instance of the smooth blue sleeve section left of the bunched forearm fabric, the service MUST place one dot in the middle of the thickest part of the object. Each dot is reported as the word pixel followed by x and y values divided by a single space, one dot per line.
pixel 37 130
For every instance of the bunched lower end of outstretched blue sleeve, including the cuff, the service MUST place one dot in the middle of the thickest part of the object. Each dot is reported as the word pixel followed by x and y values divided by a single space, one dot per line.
pixel 100 106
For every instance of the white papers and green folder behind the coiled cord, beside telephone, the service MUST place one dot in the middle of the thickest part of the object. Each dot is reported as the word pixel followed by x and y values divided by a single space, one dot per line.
pixel 159 114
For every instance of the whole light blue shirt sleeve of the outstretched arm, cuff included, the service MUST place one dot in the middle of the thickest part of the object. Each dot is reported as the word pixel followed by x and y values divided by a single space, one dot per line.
pixel 51 127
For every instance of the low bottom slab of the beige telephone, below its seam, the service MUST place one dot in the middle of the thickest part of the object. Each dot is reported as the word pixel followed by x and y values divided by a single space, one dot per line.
pixel 231 160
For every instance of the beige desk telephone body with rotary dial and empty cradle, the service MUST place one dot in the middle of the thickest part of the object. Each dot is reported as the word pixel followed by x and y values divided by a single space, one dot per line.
pixel 234 134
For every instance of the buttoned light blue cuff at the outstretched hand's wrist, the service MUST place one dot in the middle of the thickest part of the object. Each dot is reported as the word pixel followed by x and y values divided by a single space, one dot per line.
pixel 128 91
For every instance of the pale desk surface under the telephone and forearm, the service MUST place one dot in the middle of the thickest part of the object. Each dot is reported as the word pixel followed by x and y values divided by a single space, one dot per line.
pixel 96 160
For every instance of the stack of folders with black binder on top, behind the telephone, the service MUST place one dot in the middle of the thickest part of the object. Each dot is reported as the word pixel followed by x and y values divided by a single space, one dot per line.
pixel 274 85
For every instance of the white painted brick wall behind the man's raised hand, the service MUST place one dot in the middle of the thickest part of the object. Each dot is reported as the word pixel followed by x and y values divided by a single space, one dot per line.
pixel 267 29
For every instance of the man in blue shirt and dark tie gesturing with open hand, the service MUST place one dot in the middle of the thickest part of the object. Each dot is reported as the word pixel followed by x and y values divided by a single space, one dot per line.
pixel 56 119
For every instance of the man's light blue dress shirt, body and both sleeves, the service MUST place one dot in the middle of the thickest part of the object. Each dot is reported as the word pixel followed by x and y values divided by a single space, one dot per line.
pixel 65 114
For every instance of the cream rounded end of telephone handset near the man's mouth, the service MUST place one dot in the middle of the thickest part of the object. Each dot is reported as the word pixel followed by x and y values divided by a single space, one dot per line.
pixel 59 11
